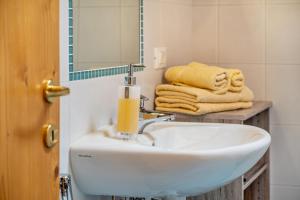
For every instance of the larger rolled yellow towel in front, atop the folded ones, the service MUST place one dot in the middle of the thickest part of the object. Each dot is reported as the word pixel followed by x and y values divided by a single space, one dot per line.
pixel 199 75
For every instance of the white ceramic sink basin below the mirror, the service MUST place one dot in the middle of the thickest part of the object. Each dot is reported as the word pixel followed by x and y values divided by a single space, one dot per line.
pixel 187 159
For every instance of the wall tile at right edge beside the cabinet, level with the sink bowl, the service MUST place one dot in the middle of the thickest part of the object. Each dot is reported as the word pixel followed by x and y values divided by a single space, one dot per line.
pixel 285 162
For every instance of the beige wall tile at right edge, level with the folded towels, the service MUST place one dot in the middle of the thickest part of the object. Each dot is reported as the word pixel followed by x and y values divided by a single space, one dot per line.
pixel 283 86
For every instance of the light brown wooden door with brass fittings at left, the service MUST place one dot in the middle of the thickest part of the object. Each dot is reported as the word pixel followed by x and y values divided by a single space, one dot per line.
pixel 29 53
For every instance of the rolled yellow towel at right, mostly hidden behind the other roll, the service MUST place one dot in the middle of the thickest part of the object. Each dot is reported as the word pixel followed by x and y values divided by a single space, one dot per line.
pixel 236 80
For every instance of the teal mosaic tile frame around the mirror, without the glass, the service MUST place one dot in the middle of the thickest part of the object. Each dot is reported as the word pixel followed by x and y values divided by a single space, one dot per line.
pixel 106 71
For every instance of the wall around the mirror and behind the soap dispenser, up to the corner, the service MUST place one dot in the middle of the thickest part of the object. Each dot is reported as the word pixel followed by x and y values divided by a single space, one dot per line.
pixel 92 102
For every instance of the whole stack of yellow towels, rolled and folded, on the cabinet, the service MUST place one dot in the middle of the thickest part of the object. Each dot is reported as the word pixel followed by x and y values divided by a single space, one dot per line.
pixel 199 89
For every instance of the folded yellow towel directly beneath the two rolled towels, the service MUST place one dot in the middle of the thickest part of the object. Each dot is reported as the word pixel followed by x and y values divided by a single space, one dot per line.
pixel 198 95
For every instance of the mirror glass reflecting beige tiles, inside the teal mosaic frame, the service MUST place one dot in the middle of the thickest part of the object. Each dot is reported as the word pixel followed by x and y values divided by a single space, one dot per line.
pixel 102 42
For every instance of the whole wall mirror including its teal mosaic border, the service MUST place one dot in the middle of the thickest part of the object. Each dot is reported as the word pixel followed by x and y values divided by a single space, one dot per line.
pixel 104 37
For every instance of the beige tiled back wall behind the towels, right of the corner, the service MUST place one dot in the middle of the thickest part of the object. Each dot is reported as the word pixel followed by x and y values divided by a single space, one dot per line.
pixel 262 37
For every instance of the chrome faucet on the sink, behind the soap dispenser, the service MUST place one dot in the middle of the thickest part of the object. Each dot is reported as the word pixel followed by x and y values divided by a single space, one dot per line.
pixel 148 117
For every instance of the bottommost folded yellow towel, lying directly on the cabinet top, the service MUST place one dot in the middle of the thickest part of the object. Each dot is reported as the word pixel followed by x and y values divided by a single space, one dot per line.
pixel 185 107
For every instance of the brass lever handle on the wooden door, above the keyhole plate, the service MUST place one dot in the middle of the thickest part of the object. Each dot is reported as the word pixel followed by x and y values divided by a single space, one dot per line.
pixel 51 91
